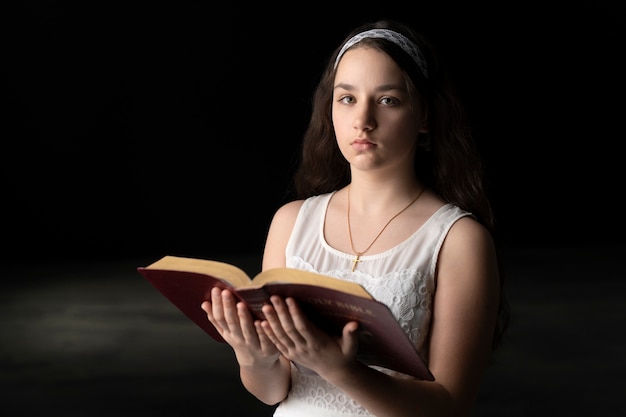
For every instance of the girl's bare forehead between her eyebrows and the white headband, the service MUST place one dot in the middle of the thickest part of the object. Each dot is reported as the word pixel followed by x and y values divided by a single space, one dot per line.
pixel 363 61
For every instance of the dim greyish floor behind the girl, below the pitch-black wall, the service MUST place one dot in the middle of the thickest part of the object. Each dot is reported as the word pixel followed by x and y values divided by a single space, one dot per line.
pixel 95 338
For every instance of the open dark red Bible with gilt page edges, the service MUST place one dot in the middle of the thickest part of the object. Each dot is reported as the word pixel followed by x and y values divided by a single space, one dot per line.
pixel 327 301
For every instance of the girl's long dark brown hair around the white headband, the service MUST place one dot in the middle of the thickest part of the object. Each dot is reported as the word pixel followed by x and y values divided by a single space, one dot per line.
pixel 452 167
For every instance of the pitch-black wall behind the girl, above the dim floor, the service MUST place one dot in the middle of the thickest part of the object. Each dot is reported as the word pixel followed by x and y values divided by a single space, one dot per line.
pixel 174 128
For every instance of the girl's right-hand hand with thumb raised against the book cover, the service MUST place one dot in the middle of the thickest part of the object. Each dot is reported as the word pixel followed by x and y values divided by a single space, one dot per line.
pixel 300 341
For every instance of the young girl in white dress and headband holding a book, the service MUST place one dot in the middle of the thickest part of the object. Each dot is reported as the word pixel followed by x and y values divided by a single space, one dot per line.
pixel 391 197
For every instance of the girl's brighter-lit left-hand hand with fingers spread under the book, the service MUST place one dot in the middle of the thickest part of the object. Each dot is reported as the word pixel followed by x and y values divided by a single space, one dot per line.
pixel 236 325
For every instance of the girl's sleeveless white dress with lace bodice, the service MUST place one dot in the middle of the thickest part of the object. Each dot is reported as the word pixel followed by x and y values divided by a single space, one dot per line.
pixel 401 277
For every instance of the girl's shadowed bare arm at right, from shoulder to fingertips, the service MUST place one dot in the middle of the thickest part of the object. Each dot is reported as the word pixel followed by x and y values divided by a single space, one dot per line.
pixel 464 316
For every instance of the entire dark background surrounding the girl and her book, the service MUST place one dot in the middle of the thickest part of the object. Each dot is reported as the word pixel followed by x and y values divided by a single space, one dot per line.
pixel 131 130
